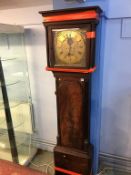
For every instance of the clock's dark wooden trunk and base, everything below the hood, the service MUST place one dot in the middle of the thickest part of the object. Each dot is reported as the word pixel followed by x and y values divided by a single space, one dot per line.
pixel 73 151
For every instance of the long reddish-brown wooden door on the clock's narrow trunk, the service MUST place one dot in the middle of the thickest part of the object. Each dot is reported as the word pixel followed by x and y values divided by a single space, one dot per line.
pixel 70 94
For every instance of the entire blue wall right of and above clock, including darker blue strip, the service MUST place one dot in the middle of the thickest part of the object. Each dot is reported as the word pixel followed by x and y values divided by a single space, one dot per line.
pixel 111 94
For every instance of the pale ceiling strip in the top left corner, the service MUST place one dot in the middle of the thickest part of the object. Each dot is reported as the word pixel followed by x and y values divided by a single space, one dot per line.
pixel 12 4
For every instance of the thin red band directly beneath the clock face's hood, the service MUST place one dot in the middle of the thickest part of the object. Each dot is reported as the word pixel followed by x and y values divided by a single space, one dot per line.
pixel 84 71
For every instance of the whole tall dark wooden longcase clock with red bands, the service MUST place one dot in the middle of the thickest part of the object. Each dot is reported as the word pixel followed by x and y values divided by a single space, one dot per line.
pixel 71 35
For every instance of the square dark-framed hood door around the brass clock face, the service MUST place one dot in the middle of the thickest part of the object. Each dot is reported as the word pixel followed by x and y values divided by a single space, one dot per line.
pixel 70 46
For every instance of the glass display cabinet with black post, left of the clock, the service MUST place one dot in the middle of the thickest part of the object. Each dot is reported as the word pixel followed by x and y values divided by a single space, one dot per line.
pixel 16 117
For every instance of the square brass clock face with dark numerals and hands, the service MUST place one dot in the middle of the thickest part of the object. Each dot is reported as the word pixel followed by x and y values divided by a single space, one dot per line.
pixel 70 47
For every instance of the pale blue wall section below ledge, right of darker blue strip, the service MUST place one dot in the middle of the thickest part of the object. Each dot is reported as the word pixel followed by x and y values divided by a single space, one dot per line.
pixel 116 93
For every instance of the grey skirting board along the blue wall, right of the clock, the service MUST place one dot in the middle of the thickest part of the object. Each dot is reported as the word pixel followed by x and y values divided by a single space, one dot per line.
pixel 115 162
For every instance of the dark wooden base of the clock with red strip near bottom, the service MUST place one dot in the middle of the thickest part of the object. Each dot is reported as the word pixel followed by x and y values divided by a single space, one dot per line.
pixel 72 161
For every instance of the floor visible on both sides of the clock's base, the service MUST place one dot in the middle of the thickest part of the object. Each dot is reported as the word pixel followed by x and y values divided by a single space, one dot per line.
pixel 43 162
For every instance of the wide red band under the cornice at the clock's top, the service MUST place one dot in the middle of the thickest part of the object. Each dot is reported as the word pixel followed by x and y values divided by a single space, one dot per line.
pixel 92 14
